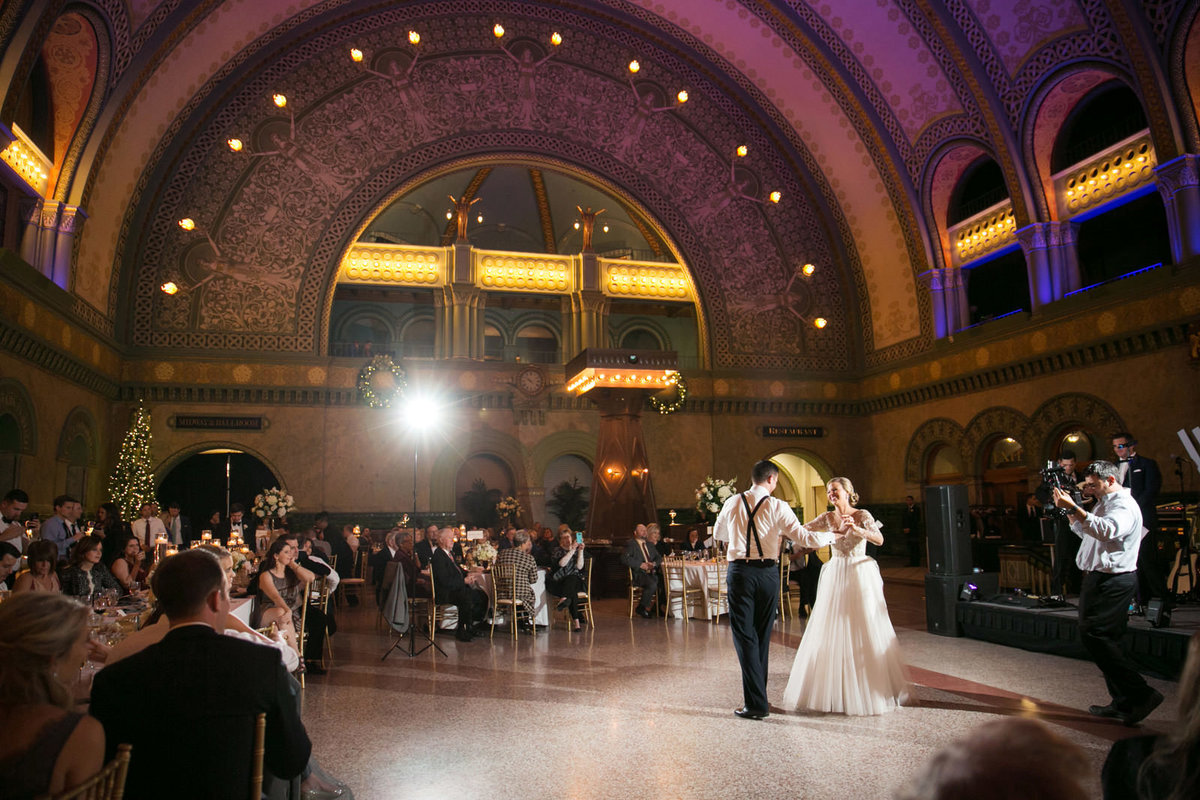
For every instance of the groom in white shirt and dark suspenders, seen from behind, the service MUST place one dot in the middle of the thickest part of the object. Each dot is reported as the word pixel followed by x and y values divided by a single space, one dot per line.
pixel 754 525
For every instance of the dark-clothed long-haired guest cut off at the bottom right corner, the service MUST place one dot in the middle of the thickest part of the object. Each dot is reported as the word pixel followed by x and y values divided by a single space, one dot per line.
pixel 1162 767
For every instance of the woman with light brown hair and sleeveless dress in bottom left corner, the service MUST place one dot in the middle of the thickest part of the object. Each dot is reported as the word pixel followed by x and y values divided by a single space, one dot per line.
pixel 46 747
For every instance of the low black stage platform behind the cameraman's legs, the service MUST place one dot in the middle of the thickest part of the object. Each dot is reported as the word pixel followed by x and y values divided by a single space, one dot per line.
pixel 1009 621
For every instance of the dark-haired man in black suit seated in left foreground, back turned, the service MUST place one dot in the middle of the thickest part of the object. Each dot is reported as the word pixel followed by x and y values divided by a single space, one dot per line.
pixel 199 688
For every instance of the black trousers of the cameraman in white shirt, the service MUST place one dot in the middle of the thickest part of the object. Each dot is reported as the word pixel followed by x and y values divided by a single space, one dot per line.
pixel 1103 619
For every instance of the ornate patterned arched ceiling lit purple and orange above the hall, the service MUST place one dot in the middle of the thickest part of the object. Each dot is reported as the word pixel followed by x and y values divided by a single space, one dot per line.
pixel 845 107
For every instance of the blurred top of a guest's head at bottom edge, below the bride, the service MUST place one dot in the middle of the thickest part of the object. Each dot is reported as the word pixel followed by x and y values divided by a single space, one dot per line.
pixel 1006 760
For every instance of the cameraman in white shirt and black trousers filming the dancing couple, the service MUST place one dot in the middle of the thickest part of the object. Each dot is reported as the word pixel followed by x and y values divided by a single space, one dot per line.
pixel 1108 557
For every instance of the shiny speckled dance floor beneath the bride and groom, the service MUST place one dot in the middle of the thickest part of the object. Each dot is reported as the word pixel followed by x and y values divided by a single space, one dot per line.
pixel 644 708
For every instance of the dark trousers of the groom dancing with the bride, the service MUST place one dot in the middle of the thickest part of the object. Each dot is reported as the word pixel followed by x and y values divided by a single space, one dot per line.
pixel 754 601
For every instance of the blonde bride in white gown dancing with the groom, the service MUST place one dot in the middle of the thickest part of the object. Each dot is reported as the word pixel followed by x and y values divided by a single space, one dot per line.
pixel 849 661
